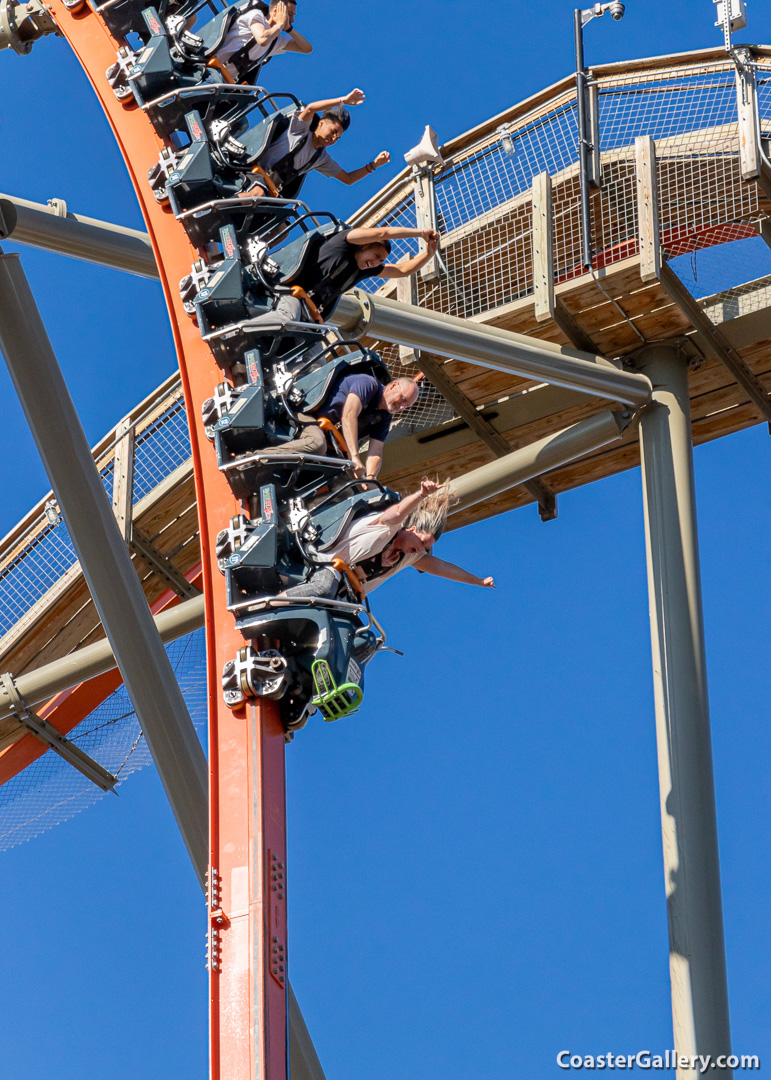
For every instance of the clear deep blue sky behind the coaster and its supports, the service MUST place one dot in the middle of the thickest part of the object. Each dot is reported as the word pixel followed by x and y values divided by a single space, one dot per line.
pixel 476 859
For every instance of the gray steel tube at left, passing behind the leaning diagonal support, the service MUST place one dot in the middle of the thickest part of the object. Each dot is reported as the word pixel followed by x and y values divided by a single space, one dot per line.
pixel 38 686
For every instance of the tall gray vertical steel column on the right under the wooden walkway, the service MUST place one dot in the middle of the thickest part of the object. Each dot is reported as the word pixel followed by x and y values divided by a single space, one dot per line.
pixel 687 790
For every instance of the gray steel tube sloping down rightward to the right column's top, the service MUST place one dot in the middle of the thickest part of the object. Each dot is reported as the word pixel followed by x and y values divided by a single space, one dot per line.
pixel 377 317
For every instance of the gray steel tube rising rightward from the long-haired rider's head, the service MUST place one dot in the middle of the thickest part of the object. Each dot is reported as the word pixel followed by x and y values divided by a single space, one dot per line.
pixel 540 457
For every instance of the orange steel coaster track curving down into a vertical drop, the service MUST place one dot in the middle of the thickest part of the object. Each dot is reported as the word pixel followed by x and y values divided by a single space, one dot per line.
pixel 249 1007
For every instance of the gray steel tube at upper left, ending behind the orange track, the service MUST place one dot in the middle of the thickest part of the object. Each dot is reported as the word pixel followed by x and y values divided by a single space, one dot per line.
pixel 23 222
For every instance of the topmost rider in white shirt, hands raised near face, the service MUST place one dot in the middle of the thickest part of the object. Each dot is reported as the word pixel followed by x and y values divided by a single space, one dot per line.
pixel 255 37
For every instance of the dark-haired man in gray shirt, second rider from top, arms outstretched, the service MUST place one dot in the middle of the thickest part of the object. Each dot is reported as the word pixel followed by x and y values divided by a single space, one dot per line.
pixel 303 147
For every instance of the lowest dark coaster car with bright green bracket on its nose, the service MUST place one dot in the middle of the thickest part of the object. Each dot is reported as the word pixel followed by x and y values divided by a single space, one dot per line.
pixel 324 644
